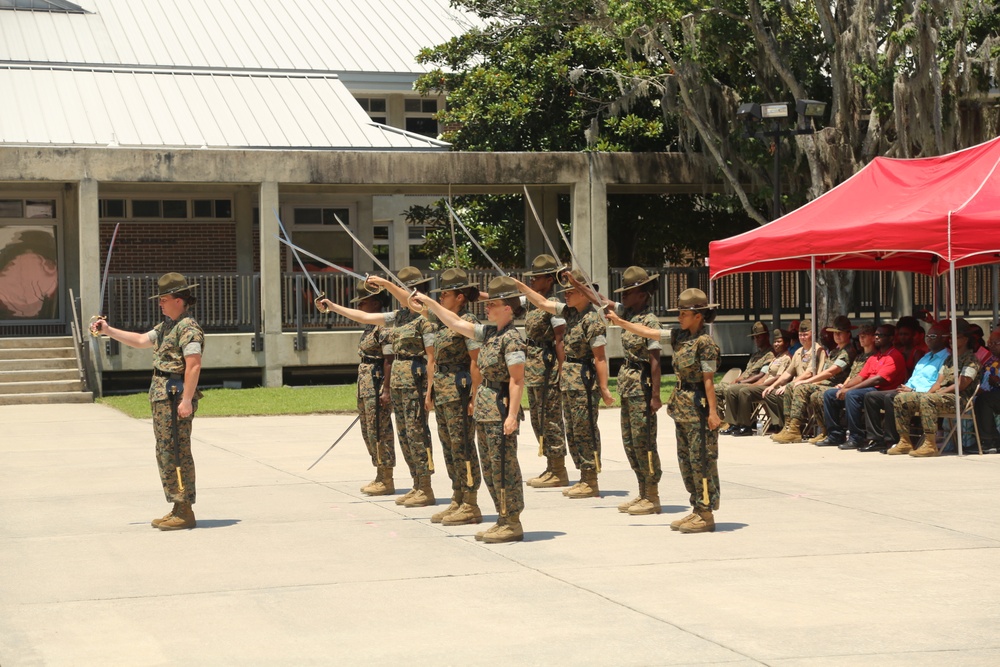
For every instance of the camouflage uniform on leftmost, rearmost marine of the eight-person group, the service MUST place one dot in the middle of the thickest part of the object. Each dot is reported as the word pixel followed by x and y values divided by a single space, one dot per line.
pixel 376 423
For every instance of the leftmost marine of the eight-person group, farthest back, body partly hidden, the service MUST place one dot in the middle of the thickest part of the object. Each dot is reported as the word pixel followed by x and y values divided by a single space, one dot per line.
pixel 374 399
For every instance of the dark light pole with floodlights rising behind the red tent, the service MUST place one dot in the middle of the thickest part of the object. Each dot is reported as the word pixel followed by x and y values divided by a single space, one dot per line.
pixel 755 119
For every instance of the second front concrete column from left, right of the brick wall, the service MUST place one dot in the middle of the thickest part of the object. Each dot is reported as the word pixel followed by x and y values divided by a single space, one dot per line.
pixel 270 284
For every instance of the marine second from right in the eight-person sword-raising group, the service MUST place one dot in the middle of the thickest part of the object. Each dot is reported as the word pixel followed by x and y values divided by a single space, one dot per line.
pixel 639 388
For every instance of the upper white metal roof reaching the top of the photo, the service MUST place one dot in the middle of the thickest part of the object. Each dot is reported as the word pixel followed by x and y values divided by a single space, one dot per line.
pixel 361 39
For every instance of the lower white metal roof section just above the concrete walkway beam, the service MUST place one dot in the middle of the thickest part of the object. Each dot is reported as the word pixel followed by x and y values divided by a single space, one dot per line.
pixel 214 109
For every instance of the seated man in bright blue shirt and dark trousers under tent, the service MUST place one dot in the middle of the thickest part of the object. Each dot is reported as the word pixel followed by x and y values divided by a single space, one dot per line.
pixel 881 426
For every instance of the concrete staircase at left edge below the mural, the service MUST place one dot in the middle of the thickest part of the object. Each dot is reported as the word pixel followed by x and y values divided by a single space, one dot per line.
pixel 40 370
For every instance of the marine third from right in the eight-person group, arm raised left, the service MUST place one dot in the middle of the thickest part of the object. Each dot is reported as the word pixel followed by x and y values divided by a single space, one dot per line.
pixel 583 377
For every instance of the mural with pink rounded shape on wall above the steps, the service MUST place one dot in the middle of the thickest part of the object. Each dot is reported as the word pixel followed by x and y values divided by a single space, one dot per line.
pixel 29 272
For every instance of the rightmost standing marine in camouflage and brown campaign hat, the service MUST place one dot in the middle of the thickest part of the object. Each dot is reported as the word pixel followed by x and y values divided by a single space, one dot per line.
pixel 693 410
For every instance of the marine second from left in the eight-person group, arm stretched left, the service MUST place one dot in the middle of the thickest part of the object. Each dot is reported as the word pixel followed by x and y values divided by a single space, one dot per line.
pixel 413 351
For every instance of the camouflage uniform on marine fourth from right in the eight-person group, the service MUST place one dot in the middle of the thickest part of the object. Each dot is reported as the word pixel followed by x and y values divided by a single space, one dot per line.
pixel 541 379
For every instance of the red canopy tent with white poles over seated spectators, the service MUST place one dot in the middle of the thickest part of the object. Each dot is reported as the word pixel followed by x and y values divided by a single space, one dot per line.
pixel 929 215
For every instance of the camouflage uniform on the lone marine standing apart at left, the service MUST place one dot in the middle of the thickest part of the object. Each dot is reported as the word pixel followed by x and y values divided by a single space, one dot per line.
pixel 172 341
